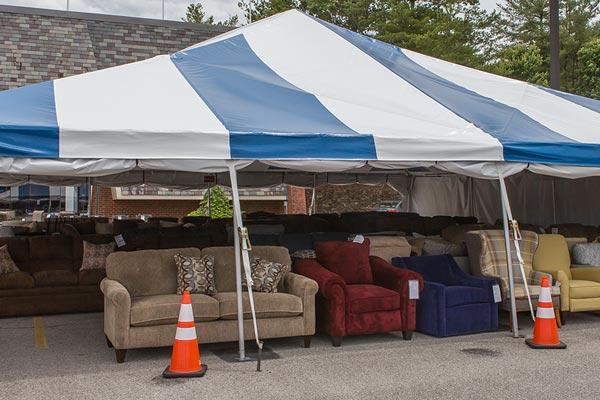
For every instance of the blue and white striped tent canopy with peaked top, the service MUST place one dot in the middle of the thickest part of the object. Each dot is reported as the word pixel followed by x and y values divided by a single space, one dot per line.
pixel 288 91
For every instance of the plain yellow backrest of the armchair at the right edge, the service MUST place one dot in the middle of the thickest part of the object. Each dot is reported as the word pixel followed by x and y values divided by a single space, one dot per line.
pixel 552 254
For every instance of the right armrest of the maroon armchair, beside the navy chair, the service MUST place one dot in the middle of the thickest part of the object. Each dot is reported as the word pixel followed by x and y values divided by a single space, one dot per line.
pixel 396 279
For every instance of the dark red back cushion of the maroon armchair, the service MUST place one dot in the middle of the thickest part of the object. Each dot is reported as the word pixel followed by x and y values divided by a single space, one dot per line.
pixel 350 260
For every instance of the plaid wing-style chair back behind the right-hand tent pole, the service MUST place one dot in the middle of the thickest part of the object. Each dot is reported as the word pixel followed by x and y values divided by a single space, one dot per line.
pixel 487 252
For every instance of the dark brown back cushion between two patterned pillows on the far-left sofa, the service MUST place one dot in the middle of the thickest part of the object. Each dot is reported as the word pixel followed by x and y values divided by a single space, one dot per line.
pixel 53 252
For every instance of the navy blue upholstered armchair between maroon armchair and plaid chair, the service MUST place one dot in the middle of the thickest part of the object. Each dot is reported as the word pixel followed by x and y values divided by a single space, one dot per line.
pixel 452 302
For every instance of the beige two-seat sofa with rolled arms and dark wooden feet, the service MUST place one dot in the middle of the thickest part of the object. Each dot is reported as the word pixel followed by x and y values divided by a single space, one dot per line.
pixel 141 307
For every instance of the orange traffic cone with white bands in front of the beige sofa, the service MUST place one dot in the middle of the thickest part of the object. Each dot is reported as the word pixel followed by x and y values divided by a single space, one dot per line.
pixel 185 361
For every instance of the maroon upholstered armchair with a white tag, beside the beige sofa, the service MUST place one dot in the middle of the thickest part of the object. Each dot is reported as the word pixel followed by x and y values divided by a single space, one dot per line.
pixel 373 301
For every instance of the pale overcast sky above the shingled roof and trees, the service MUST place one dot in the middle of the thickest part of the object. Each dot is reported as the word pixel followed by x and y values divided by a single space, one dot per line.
pixel 174 9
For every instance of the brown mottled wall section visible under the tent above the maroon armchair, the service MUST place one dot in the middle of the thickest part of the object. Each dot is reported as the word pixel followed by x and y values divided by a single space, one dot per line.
pixel 346 198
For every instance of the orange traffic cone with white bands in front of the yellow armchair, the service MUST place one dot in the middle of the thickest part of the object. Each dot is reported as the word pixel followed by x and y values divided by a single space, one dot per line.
pixel 545 331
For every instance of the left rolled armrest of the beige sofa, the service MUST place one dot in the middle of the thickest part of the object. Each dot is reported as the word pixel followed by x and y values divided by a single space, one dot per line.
pixel 117 312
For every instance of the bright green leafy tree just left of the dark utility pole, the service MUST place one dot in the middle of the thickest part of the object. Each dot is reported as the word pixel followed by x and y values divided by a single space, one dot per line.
pixel 524 63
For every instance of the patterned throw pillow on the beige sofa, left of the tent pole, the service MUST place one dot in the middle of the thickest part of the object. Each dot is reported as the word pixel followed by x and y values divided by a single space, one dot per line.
pixel 195 274
